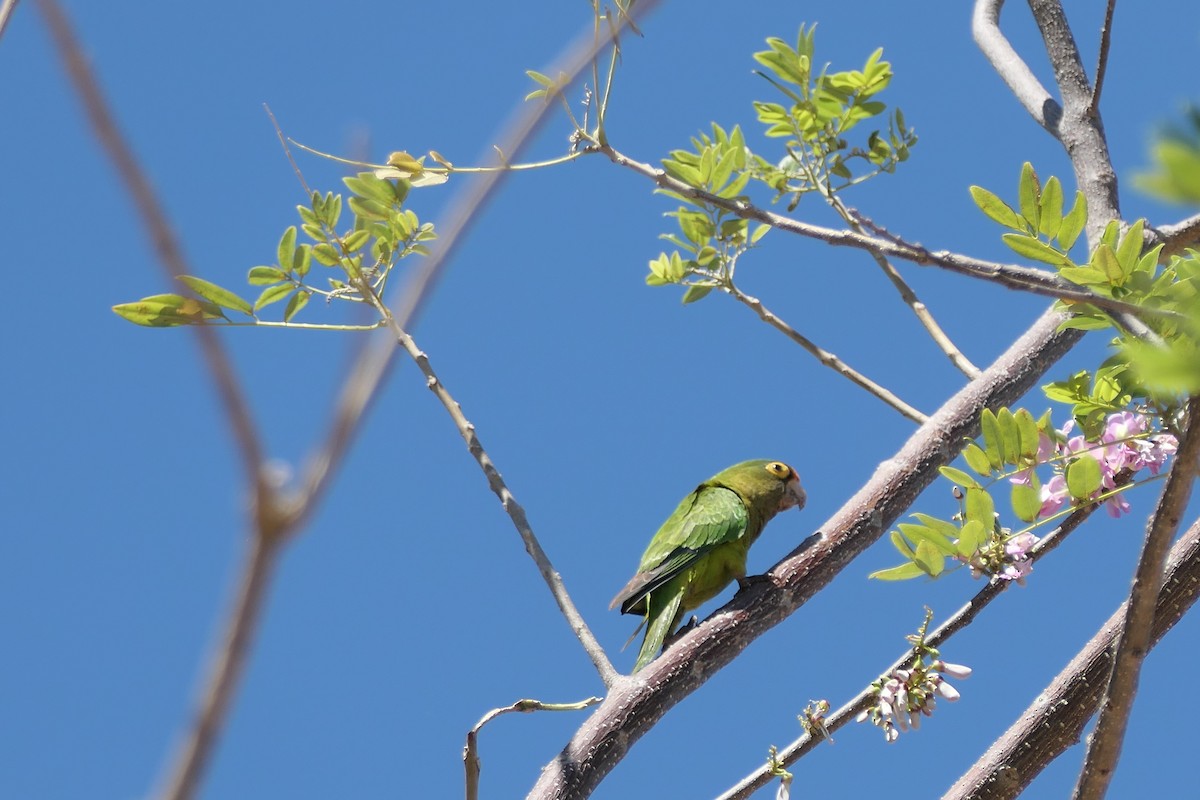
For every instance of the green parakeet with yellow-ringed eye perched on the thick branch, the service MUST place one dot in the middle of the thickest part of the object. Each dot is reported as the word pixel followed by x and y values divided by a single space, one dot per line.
pixel 704 546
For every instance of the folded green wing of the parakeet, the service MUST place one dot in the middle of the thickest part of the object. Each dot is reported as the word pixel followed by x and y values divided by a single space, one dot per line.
pixel 710 516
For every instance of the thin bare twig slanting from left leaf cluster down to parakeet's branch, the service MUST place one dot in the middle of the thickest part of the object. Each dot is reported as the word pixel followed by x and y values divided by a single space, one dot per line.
pixel 609 676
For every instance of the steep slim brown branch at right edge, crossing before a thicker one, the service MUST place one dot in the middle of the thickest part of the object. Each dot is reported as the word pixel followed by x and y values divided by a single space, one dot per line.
pixel 1137 628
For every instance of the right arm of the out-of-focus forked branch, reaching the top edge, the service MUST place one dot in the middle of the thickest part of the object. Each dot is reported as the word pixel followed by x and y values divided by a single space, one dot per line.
pixel 375 358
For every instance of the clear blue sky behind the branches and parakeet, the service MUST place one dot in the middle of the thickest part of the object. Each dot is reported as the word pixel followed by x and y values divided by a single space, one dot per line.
pixel 409 609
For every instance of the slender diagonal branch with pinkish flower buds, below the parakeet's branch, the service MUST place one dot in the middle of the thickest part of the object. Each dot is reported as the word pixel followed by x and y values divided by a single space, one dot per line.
pixel 956 623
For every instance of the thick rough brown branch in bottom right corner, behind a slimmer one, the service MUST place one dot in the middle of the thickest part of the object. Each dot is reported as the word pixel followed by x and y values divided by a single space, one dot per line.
pixel 1057 719
